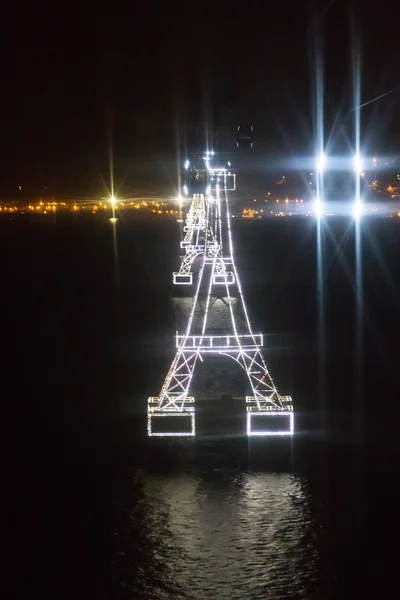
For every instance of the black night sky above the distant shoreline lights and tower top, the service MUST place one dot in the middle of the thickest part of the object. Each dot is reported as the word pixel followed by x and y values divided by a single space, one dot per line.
pixel 74 85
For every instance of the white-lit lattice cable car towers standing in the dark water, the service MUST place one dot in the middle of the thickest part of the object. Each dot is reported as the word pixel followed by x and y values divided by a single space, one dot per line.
pixel 208 242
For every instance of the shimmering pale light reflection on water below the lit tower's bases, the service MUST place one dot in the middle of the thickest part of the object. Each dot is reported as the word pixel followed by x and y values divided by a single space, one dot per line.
pixel 217 535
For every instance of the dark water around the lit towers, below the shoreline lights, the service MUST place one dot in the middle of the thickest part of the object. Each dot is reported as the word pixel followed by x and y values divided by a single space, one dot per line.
pixel 95 511
